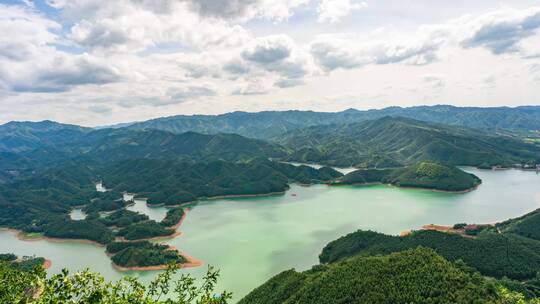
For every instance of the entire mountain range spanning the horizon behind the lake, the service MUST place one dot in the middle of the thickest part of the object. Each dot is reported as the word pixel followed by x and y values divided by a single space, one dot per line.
pixel 335 139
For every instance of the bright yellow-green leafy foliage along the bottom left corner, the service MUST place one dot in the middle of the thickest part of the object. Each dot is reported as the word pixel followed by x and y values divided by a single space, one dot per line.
pixel 86 287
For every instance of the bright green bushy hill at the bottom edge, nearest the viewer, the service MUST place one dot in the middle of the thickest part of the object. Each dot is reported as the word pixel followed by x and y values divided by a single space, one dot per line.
pixel 412 276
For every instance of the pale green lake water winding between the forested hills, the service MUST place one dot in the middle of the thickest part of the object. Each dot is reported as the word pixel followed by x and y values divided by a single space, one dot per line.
pixel 252 239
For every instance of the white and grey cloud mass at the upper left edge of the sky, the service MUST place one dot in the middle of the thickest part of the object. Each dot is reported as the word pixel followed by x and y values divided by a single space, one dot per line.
pixel 28 62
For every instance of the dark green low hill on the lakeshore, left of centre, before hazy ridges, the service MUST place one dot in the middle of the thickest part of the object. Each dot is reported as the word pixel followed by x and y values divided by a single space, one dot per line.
pixel 185 182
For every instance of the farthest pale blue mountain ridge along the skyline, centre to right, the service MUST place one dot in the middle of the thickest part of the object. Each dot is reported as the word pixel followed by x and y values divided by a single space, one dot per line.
pixel 272 123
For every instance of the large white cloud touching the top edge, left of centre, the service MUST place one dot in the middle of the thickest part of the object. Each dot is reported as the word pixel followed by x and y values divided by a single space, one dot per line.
pixel 131 26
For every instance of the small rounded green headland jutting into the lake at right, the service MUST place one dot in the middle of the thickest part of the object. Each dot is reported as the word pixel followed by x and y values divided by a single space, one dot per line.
pixel 424 175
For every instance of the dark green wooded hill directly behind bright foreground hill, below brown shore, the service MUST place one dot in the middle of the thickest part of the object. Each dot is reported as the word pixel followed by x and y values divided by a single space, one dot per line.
pixel 493 254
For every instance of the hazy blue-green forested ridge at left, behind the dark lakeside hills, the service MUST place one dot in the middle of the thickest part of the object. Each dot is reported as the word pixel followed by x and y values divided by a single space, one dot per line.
pixel 54 148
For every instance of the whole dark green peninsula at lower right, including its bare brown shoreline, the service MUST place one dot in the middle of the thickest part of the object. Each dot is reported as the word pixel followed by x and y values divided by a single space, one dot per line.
pixel 509 251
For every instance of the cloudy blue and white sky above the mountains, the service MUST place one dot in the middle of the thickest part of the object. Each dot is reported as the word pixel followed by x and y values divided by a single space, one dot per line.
pixel 100 62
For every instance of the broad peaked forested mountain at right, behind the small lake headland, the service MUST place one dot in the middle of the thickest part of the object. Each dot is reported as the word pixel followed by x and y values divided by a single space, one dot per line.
pixel 396 141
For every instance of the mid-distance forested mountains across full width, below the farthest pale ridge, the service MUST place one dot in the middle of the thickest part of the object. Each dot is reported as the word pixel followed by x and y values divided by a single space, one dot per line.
pixel 384 142
